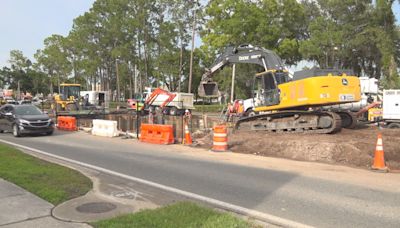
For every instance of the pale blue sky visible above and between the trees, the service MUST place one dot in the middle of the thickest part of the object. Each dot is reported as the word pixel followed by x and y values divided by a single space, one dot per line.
pixel 24 24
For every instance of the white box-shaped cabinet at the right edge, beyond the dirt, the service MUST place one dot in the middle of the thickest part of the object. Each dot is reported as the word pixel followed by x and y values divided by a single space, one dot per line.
pixel 391 105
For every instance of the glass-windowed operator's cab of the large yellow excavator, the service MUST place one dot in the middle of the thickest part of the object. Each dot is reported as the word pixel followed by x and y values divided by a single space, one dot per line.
pixel 267 90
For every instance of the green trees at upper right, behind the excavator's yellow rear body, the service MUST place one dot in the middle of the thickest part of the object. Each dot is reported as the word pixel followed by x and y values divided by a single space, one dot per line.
pixel 355 34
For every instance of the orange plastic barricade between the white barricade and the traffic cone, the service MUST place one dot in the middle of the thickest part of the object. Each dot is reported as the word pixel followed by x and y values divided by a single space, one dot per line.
pixel 157 134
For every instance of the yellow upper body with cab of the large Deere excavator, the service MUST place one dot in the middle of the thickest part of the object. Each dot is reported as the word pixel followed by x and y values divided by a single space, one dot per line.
pixel 328 89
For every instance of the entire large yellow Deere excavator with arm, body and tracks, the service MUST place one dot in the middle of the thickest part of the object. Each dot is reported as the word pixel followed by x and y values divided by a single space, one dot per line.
pixel 289 104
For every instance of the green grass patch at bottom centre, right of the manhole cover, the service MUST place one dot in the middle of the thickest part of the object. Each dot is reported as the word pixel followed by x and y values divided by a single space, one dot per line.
pixel 184 214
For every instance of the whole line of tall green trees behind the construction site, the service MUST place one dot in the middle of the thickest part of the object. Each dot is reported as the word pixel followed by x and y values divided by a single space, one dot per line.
pixel 125 45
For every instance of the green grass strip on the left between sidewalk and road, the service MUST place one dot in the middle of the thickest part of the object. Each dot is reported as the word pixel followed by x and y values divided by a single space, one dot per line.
pixel 51 182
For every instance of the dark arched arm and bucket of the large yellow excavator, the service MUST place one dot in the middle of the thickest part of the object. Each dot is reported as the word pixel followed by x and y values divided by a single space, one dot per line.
pixel 245 53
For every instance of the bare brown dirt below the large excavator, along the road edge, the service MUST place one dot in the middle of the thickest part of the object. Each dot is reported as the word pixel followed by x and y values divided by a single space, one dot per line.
pixel 349 147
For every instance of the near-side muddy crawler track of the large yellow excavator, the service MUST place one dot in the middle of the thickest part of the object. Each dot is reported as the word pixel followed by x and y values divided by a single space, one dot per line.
pixel 316 122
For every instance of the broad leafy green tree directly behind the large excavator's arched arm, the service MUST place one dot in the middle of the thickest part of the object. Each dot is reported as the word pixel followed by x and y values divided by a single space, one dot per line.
pixel 274 24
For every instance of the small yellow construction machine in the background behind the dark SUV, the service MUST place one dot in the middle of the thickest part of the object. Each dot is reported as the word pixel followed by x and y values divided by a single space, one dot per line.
pixel 68 98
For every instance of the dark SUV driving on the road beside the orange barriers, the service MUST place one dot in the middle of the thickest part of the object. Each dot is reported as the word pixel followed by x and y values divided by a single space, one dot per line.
pixel 25 119
